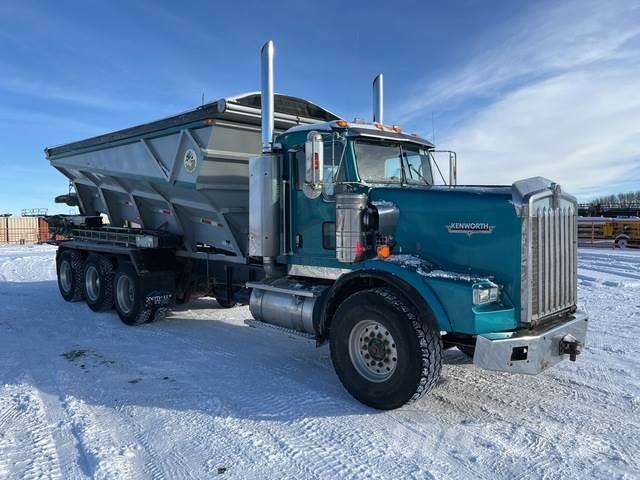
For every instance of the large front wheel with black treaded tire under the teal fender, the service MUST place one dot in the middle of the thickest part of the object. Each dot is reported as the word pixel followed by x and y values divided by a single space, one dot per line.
pixel 383 353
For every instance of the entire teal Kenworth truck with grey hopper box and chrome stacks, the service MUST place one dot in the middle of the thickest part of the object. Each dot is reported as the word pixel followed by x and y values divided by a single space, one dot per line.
pixel 331 229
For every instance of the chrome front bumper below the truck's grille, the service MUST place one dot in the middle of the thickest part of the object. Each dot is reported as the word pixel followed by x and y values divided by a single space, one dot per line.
pixel 531 351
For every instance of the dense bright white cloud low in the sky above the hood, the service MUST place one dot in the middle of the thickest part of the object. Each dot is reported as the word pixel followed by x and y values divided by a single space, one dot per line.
pixel 581 129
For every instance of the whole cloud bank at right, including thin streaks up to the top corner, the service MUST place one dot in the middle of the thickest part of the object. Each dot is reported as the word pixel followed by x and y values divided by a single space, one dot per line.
pixel 559 97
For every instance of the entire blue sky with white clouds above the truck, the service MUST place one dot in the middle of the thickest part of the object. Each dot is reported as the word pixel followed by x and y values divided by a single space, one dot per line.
pixel 517 88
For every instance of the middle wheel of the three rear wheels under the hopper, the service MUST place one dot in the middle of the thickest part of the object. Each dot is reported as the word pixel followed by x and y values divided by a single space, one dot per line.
pixel 98 283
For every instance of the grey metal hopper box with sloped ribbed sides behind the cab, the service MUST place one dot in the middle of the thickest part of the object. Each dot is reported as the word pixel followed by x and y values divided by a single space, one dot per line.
pixel 187 174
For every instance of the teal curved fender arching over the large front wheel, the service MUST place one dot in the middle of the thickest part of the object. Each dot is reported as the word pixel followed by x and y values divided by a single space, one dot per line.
pixel 375 273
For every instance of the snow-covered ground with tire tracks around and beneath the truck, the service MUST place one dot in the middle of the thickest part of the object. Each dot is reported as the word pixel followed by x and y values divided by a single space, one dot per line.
pixel 201 395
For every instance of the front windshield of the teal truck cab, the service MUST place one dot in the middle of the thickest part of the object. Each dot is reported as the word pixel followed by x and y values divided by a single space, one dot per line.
pixel 390 162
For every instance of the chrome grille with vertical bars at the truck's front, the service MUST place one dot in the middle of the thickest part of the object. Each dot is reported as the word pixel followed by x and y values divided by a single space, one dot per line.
pixel 553 259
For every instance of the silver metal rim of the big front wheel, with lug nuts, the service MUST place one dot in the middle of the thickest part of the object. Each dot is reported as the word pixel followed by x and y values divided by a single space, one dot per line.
pixel 373 351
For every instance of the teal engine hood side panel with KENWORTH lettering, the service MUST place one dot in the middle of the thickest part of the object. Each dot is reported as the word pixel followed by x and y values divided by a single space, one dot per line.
pixel 467 229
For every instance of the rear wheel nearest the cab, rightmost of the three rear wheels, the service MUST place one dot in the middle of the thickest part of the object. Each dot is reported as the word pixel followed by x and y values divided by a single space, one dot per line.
pixel 129 301
